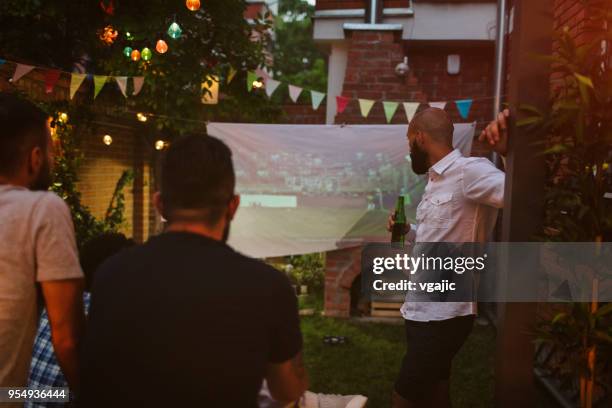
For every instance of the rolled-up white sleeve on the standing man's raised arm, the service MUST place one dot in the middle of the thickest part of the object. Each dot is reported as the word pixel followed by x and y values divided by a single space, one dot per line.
pixel 484 183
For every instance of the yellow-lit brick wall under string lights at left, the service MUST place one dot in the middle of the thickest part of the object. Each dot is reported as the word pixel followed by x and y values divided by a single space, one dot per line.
pixel 102 165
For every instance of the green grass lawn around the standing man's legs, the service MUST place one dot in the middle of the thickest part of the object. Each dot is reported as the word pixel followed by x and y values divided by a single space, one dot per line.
pixel 370 361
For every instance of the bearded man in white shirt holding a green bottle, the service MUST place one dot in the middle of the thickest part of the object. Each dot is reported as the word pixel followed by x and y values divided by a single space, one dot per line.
pixel 459 205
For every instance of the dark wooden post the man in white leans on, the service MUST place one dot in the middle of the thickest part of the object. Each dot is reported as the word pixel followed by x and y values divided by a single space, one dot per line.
pixel 528 83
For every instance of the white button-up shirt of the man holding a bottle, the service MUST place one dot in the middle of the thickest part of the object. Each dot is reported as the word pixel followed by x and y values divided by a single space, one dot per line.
pixel 460 204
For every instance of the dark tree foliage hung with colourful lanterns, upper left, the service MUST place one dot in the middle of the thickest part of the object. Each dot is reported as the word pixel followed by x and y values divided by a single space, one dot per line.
pixel 214 38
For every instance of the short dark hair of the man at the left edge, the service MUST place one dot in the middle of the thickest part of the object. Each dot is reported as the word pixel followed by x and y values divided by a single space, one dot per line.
pixel 22 127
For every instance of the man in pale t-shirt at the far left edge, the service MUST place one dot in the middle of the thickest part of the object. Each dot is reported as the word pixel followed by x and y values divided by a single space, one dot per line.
pixel 37 248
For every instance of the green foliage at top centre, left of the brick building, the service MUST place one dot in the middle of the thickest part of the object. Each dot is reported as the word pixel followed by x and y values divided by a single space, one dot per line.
pixel 296 57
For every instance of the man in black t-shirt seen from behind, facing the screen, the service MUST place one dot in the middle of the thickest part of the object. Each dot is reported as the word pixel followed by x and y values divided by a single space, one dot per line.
pixel 184 320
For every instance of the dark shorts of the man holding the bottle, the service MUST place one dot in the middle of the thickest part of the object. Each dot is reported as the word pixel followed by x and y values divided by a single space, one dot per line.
pixel 430 349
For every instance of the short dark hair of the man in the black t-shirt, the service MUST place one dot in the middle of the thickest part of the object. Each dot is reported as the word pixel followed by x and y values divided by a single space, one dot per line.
pixel 198 175
